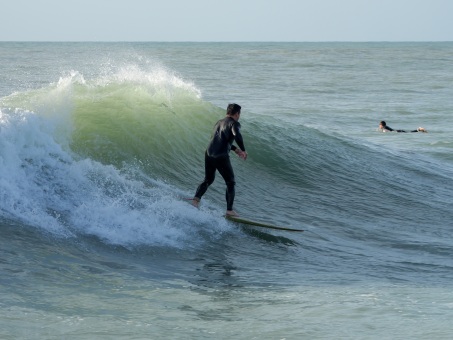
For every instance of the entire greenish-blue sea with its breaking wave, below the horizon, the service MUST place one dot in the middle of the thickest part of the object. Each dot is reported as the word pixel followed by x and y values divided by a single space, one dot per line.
pixel 100 143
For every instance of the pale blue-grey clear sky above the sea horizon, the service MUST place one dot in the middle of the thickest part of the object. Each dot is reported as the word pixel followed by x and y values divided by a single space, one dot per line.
pixel 226 20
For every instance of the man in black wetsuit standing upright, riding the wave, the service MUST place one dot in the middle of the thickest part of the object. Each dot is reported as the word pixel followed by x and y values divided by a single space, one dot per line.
pixel 226 131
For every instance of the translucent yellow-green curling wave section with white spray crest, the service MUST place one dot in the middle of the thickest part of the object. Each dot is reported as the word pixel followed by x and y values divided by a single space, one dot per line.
pixel 153 119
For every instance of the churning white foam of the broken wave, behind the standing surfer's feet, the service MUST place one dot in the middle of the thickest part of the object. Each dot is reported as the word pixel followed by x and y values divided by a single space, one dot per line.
pixel 46 186
